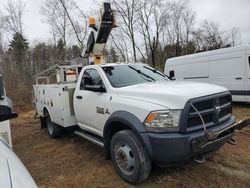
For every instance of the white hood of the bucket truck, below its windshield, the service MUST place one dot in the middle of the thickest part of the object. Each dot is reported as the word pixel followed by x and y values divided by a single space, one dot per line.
pixel 169 94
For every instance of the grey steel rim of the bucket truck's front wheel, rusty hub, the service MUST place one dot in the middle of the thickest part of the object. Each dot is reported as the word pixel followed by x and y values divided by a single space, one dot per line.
pixel 125 158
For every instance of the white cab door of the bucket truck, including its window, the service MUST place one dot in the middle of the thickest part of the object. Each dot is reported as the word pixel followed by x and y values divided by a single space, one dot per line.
pixel 89 106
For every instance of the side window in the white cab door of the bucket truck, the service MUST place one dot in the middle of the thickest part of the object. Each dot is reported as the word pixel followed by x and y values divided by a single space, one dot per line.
pixel 90 77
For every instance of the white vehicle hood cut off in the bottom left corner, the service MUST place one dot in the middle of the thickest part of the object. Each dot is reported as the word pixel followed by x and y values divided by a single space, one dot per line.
pixel 13 173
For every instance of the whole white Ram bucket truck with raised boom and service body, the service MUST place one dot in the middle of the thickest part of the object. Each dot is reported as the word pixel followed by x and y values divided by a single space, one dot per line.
pixel 133 111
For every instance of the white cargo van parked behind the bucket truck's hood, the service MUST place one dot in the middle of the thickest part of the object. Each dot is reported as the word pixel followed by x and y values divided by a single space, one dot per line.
pixel 228 67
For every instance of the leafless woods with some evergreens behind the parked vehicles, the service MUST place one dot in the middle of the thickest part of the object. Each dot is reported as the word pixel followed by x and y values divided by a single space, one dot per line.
pixel 149 31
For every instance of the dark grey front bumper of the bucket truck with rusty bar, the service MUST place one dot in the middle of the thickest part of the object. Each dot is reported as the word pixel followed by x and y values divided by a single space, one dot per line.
pixel 177 148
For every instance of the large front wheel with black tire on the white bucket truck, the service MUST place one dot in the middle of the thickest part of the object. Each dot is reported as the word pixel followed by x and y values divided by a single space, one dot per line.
pixel 129 157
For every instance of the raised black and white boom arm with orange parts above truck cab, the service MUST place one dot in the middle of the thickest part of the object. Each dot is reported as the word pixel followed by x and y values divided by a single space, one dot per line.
pixel 94 50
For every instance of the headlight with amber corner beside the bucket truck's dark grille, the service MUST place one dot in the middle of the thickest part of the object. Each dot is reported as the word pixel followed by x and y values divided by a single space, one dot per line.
pixel 163 119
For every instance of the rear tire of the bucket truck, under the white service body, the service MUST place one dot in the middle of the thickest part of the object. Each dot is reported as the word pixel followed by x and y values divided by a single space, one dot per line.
pixel 54 130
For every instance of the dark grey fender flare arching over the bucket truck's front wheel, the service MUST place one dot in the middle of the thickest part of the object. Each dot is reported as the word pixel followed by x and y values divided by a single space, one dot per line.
pixel 128 120
